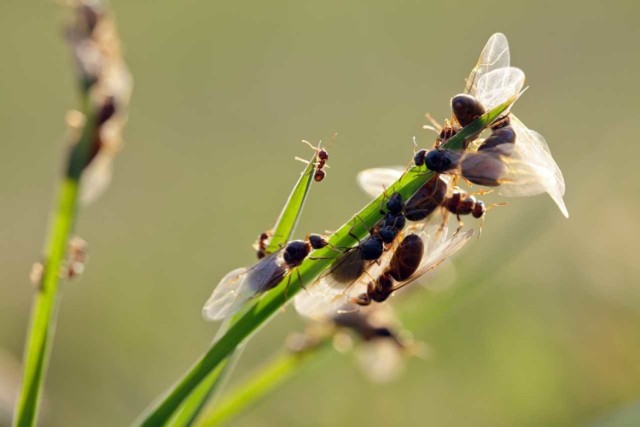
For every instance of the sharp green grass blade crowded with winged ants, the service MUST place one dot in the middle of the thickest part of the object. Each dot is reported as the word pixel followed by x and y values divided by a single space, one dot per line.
pixel 264 308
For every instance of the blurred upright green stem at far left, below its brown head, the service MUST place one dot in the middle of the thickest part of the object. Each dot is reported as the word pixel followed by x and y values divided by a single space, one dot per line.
pixel 44 310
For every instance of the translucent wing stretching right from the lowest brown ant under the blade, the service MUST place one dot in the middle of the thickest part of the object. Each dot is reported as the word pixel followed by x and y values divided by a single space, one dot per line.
pixel 438 247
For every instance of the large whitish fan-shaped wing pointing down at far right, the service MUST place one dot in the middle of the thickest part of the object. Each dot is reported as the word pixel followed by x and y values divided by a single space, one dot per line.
pixel 531 168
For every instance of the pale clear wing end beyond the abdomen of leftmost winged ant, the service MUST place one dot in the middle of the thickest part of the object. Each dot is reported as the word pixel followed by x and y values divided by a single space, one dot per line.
pixel 229 296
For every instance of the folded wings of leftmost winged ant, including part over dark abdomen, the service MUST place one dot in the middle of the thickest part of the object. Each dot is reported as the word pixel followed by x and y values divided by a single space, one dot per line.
pixel 242 284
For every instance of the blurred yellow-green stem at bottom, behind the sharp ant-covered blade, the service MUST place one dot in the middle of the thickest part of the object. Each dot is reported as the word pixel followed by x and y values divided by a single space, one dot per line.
pixel 261 383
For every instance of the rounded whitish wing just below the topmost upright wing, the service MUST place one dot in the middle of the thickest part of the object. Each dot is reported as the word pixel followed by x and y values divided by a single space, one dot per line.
pixel 498 86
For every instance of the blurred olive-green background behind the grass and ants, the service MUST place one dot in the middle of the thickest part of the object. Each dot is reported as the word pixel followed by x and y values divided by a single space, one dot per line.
pixel 543 325
